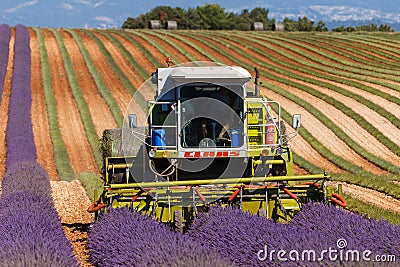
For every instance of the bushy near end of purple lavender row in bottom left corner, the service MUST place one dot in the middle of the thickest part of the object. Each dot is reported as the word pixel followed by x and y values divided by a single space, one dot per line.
pixel 31 233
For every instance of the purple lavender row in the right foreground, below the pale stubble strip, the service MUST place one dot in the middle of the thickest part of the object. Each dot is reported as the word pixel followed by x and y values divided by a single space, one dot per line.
pixel 360 232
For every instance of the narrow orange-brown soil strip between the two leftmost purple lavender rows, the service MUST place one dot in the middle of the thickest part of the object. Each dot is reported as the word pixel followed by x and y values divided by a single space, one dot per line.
pixel 5 104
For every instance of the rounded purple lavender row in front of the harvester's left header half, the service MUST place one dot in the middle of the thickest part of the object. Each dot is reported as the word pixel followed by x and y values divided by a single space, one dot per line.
pixel 126 238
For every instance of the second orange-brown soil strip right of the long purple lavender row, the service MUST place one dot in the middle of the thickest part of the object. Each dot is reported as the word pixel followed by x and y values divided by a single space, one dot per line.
pixel 72 130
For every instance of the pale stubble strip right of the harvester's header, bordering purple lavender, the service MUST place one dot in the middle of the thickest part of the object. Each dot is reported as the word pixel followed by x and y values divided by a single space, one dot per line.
pixel 370 196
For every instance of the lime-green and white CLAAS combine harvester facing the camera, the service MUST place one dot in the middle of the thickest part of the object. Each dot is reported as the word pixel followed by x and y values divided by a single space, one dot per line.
pixel 211 139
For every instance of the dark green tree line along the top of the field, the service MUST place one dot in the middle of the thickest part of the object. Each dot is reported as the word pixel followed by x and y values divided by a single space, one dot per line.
pixel 215 17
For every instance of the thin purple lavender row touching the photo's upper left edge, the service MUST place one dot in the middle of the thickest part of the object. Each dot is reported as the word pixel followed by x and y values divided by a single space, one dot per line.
pixel 5 36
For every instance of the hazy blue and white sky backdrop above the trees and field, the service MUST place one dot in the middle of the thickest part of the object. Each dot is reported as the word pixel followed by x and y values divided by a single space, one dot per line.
pixel 112 13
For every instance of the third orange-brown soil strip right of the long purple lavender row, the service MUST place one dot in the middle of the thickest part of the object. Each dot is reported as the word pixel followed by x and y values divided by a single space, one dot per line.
pixel 99 111
